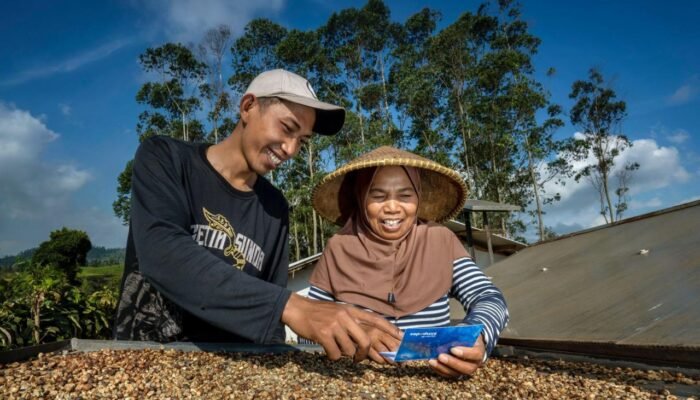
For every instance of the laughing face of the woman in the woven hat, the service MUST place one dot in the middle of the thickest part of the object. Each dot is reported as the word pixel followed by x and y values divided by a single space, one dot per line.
pixel 391 203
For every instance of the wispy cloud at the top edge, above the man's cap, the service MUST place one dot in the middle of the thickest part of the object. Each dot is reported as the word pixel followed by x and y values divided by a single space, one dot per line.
pixel 187 20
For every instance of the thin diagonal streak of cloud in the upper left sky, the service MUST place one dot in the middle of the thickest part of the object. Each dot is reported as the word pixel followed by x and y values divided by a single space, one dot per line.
pixel 66 65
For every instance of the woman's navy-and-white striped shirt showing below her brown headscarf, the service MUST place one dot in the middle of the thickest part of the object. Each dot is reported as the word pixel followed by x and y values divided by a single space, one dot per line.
pixel 482 301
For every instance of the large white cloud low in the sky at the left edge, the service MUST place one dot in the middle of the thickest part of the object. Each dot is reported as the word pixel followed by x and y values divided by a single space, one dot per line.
pixel 38 195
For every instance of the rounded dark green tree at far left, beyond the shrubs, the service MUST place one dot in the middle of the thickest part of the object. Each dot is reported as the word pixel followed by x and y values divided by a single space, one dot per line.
pixel 66 250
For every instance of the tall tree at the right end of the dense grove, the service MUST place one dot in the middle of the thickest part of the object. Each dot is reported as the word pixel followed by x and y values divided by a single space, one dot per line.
pixel 529 120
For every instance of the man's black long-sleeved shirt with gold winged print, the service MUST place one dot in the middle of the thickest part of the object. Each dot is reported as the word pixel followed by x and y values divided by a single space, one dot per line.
pixel 204 262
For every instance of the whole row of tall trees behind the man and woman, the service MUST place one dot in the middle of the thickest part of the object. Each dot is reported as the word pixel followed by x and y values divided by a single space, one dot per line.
pixel 464 95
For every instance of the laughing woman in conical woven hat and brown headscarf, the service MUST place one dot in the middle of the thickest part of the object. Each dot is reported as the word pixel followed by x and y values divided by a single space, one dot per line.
pixel 390 259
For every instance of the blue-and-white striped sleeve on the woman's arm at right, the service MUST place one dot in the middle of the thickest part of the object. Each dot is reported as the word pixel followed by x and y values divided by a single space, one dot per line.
pixel 482 301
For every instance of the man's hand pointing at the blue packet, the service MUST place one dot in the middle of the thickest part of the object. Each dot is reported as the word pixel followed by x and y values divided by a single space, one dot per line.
pixel 336 327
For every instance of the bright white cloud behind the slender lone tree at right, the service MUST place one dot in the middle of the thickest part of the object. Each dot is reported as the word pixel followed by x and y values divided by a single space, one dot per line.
pixel 660 167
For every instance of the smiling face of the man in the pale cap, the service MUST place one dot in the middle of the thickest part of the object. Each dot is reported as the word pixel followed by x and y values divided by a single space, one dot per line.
pixel 275 133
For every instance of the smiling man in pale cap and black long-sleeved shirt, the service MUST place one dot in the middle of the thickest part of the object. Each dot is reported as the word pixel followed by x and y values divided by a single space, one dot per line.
pixel 207 250
